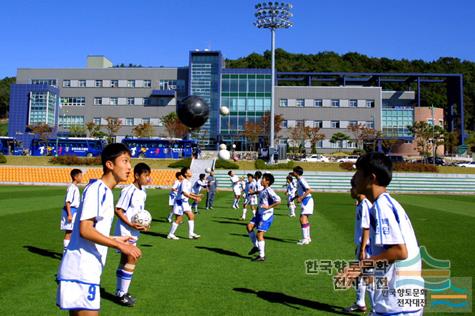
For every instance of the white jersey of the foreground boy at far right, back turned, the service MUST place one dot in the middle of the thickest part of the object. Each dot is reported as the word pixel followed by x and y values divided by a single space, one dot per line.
pixel 390 225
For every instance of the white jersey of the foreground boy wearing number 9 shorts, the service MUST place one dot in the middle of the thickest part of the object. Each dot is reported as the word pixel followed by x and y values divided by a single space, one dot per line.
pixel 84 260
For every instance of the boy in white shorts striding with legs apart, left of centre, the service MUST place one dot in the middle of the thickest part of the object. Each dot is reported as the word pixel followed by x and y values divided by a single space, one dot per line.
pixel 182 206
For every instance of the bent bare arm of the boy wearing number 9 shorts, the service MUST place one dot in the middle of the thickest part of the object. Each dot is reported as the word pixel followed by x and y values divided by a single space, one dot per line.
pixel 87 231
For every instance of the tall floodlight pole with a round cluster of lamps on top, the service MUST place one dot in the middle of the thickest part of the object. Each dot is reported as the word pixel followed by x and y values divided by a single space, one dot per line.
pixel 273 15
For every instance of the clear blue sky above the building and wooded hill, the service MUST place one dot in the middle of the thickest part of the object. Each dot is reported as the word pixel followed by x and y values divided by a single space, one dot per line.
pixel 54 33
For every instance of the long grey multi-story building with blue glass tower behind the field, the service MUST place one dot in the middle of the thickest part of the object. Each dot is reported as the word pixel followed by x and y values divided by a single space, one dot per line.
pixel 74 96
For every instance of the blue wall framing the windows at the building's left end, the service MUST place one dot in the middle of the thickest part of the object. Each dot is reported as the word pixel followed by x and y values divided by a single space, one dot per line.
pixel 19 111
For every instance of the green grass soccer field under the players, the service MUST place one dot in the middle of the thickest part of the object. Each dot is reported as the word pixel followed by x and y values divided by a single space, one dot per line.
pixel 214 275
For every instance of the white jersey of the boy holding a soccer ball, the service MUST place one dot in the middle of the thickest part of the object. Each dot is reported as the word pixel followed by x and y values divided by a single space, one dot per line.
pixel 131 201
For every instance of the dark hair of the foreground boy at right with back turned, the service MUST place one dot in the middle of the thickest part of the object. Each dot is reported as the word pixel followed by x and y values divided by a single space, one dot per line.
pixel 378 164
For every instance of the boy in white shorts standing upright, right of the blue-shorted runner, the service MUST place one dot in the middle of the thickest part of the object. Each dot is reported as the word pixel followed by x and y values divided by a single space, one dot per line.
pixel 304 197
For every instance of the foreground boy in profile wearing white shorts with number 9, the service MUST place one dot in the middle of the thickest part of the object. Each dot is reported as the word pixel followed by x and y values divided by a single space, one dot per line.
pixel 82 264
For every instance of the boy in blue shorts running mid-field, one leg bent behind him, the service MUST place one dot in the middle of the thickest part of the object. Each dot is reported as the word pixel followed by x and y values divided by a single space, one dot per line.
pixel 268 199
